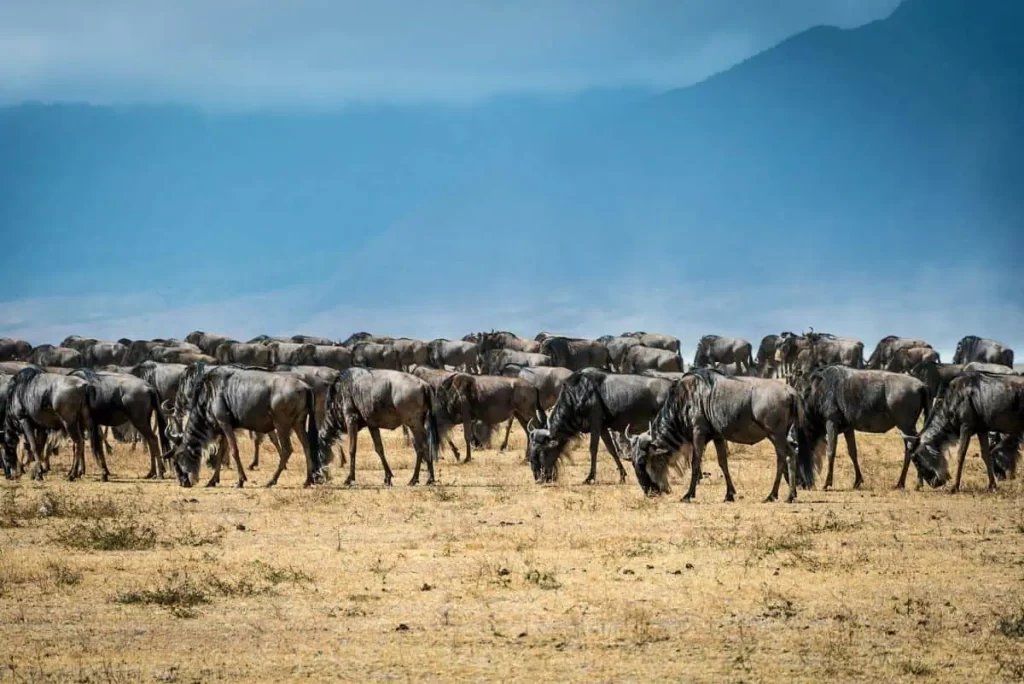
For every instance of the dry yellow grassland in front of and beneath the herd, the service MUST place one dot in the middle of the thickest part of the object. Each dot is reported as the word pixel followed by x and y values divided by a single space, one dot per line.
pixel 491 577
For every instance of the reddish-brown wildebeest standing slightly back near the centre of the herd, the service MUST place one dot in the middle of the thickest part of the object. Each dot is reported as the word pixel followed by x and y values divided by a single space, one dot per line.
pixel 490 400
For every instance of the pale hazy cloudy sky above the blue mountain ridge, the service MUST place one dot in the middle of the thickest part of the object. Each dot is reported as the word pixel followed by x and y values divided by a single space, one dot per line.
pixel 323 53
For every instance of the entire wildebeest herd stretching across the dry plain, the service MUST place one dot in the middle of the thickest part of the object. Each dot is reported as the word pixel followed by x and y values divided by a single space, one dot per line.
pixel 631 393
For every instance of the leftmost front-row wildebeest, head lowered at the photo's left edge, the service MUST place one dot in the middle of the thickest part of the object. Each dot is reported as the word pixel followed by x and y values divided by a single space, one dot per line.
pixel 39 402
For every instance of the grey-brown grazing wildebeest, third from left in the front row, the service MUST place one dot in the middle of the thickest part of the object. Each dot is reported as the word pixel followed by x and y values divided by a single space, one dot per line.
pixel 225 399
